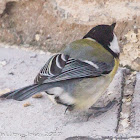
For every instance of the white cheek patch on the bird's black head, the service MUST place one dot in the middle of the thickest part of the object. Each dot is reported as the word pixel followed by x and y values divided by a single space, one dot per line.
pixel 114 46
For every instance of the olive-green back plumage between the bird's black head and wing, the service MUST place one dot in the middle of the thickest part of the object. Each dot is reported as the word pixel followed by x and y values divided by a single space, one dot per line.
pixel 89 50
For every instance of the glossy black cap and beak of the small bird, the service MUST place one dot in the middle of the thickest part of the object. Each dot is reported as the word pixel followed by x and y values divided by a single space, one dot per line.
pixel 103 34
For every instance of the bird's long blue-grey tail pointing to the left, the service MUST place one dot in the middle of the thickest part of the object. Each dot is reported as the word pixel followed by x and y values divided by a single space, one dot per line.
pixel 26 92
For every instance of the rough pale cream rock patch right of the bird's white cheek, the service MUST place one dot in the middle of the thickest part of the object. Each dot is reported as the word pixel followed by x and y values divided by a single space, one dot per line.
pixel 131 50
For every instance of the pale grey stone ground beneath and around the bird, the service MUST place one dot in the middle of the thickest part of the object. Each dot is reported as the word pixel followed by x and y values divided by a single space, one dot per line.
pixel 43 120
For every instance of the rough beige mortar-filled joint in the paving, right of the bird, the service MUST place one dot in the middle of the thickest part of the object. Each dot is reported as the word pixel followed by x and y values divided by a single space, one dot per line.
pixel 124 115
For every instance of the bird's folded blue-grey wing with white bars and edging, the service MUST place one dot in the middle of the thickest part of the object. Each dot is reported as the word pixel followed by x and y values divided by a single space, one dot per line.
pixel 63 67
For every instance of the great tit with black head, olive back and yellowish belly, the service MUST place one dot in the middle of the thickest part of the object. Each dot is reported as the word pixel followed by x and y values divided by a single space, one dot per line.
pixel 79 74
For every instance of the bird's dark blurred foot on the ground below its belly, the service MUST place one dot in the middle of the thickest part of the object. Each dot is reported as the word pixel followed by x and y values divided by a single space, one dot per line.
pixel 100 110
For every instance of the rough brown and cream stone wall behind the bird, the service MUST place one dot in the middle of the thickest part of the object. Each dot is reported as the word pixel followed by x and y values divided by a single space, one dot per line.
pixel 50 24
